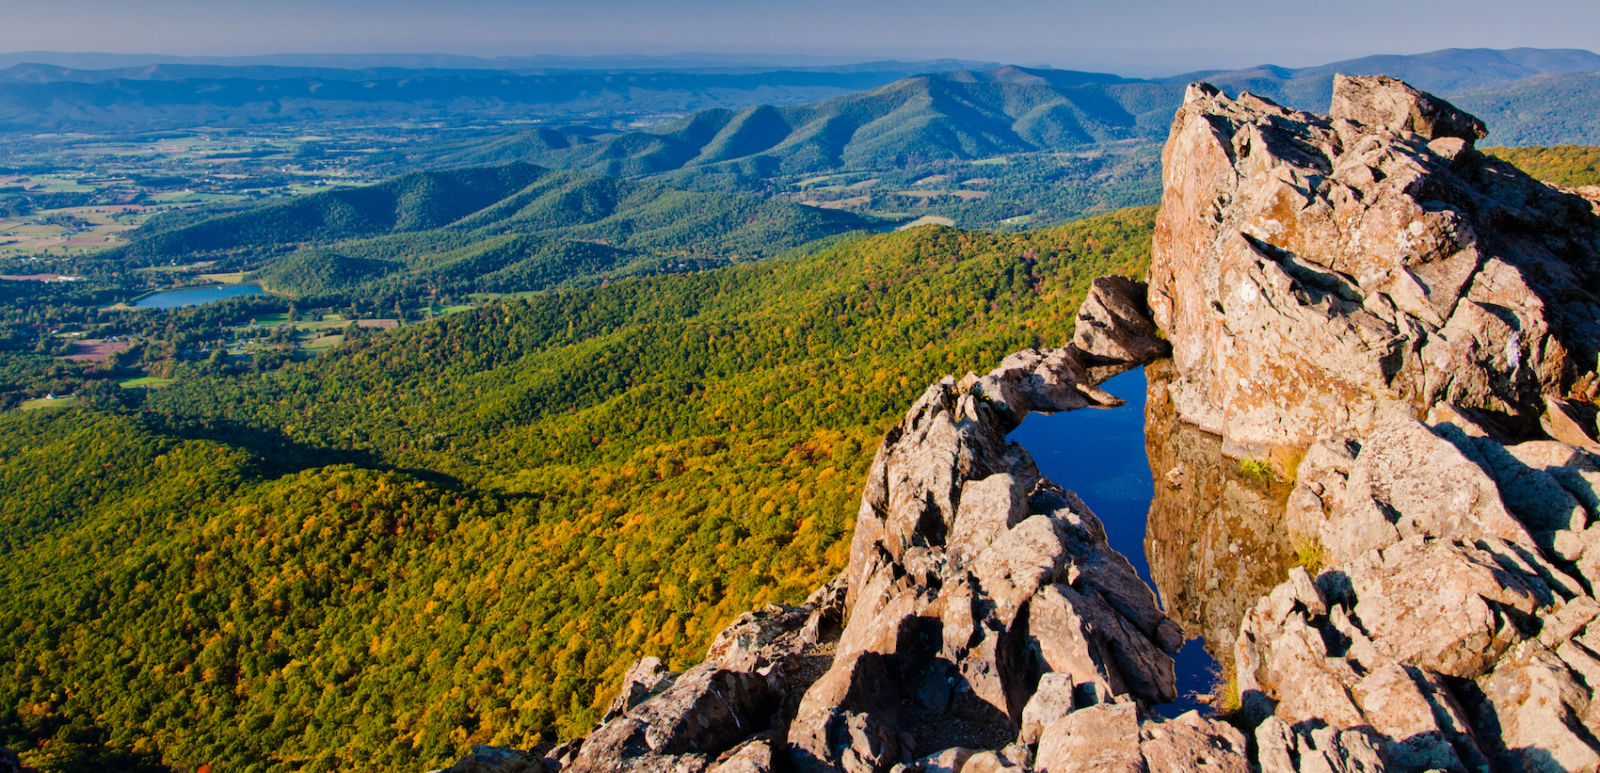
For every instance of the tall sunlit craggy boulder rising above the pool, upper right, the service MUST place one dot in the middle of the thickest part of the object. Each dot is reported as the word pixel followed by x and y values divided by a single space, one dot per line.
pixel 1311 268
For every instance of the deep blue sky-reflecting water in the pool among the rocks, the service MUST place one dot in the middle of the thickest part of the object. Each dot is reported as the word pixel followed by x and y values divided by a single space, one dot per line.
pixel 1102 455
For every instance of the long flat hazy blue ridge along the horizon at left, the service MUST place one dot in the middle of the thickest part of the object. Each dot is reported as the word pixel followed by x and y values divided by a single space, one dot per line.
pixel 164 97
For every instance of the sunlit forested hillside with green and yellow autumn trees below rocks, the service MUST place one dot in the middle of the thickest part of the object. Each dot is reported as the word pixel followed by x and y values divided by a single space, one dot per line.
pixel 463 532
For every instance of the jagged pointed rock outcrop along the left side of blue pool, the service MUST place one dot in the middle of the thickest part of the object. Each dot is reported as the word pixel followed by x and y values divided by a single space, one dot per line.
pixel 970 579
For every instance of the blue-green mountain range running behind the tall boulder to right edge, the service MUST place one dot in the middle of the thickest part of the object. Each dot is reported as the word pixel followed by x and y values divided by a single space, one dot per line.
pixel 1529 97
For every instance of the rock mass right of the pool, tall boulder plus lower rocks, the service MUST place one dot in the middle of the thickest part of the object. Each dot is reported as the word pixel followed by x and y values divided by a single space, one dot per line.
pixel 1406 332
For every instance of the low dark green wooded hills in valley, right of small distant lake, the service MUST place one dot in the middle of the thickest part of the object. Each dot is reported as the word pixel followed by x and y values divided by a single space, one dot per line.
pixel 511 228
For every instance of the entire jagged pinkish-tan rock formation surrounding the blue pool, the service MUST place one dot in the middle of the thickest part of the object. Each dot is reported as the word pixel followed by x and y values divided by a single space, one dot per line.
pixel 1396 335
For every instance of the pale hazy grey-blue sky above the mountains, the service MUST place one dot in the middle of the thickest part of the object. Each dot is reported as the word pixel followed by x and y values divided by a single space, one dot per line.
pixel 1134 38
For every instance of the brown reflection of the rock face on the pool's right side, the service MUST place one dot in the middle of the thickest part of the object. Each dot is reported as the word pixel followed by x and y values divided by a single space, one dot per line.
pixel 1215 535
